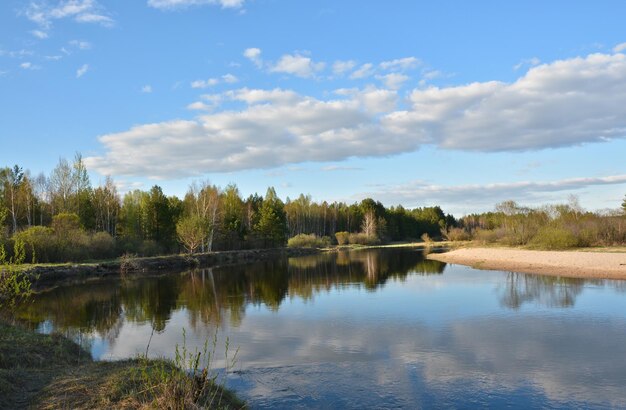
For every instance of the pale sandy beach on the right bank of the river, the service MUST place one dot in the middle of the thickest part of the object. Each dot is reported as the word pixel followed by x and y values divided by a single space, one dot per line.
pixel 575 264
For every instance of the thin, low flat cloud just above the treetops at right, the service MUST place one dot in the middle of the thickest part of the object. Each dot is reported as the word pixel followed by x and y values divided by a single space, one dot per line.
pixel 419 192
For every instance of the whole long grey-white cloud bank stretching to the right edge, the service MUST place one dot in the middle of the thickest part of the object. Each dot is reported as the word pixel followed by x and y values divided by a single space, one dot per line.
pixel 564 103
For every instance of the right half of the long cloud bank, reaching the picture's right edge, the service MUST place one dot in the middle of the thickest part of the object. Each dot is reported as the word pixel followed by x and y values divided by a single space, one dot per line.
pixel 564 103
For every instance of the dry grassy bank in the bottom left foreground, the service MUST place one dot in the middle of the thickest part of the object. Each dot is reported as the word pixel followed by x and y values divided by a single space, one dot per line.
pixel 50 372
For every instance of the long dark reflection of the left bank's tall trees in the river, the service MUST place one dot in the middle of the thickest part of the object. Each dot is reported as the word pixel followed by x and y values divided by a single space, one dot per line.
pixel 215 296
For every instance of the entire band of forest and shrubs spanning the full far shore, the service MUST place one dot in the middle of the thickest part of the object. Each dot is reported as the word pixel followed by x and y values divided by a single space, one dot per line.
pixel 62 217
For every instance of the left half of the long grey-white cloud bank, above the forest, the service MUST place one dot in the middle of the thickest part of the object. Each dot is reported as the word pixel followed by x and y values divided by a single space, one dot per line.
pixel 260 136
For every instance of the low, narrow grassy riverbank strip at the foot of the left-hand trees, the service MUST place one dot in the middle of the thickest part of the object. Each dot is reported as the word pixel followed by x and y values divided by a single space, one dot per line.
pixel 47 275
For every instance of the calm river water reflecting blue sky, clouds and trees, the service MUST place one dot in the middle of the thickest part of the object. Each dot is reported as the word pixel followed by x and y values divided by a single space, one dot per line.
pixel 368 329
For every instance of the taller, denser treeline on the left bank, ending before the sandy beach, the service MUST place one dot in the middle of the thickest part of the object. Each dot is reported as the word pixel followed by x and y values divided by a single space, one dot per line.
pixel 61 217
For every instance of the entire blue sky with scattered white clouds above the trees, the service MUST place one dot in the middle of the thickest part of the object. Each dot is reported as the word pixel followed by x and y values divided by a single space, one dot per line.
pixel 451 103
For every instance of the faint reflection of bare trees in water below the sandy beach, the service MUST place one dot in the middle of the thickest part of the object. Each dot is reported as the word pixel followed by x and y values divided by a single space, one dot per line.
pixel 550 291
